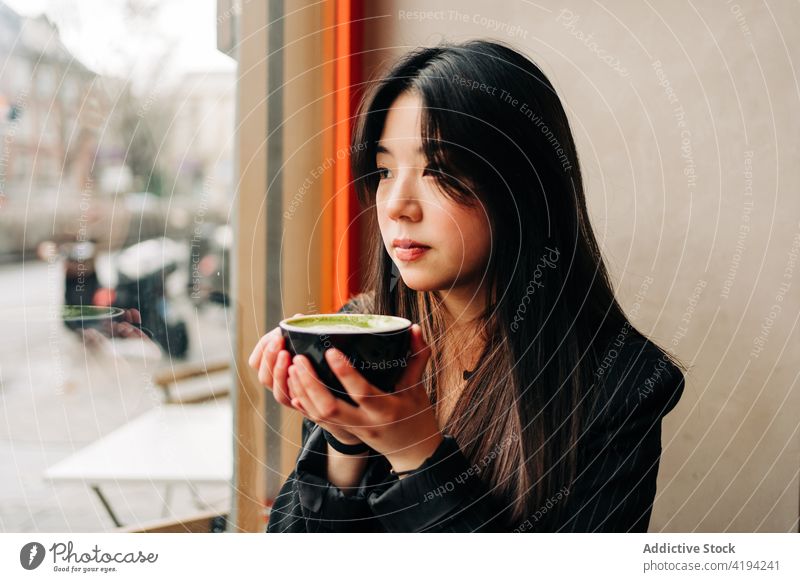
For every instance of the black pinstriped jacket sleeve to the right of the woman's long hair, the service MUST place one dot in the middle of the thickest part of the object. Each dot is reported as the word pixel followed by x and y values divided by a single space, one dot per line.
pixel 616 485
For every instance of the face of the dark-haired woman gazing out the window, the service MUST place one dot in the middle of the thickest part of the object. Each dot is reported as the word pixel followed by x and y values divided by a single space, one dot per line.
pixel 411 205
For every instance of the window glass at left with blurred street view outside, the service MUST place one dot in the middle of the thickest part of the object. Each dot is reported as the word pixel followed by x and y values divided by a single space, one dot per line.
pixel 116 180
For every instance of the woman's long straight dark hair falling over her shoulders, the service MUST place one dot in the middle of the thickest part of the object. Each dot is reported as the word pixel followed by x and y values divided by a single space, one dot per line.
pixel 495 129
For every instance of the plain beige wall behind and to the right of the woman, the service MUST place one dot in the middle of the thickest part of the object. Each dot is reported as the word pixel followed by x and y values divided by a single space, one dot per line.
pixel 731 454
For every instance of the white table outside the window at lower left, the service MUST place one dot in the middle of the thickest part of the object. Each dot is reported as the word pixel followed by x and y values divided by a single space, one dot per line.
pixel 172 444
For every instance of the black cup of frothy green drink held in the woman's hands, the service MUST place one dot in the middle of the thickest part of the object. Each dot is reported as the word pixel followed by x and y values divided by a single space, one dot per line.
pixel 377 346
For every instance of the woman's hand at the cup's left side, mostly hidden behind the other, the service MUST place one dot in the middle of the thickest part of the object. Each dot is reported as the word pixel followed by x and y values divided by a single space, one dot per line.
pixel 272 362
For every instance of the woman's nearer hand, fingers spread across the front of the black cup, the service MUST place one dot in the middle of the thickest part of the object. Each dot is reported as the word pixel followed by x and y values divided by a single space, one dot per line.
pixel 400 425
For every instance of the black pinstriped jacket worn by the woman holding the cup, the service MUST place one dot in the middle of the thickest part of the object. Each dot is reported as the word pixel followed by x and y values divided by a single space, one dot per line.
pixel 613 491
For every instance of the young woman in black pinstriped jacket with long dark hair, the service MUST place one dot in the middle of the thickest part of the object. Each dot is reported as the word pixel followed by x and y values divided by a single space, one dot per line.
pixel 530 403
